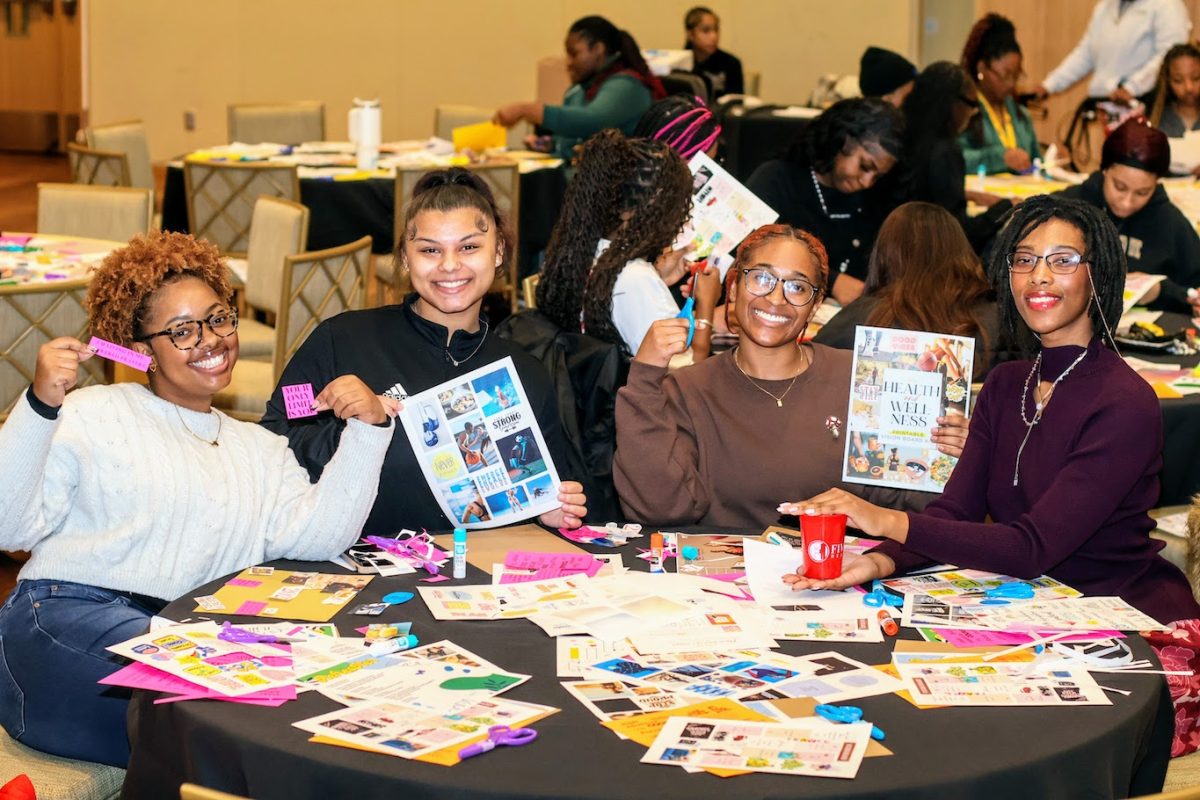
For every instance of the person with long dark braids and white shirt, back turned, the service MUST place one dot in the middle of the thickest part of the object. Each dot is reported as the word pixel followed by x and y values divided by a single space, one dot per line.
pixel 610 260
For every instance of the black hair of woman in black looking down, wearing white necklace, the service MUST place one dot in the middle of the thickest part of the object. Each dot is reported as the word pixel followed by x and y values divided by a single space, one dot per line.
pixel 857 121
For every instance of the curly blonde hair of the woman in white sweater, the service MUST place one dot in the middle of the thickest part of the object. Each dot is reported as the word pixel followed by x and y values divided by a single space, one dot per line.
pixel 121 291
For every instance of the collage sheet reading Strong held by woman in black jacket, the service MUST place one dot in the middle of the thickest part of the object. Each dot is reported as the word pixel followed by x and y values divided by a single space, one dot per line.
pixel 481 448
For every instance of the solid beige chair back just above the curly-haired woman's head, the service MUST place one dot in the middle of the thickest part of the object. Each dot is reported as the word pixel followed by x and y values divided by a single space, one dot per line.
pixel 113 213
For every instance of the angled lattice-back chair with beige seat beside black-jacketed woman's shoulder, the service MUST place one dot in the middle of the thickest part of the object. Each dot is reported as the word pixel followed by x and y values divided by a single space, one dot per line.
pixel 316 286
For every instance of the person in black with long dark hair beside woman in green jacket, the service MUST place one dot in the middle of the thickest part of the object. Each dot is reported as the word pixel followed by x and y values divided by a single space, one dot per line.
pixel 939 110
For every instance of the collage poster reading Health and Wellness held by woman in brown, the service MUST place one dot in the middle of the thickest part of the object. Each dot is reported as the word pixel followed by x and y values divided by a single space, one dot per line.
pixel 902 382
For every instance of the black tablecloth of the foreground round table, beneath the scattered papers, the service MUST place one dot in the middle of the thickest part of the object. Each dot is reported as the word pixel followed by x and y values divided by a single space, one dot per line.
pixel 980 753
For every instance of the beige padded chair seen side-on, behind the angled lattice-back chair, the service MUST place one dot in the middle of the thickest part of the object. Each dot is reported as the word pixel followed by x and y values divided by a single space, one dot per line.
pixel 279 228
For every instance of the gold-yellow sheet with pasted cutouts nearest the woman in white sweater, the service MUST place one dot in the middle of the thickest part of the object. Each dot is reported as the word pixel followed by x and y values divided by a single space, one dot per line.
pixel 310 604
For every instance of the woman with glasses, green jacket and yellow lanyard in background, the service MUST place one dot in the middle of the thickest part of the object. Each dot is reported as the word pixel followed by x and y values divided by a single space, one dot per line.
pixel 1001 139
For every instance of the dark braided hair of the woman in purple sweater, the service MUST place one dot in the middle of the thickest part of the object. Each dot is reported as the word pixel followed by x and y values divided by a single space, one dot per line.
pixel 1102 250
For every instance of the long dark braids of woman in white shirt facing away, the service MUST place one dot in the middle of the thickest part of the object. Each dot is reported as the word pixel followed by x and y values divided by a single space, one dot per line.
pixel 637 191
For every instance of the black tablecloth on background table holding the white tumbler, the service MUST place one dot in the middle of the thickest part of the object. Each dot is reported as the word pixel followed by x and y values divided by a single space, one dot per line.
pixel 344 212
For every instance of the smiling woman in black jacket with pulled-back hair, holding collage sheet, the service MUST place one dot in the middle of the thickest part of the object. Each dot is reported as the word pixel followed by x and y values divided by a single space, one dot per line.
pixel 454 242
